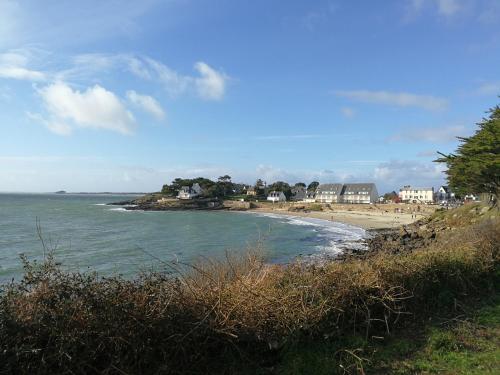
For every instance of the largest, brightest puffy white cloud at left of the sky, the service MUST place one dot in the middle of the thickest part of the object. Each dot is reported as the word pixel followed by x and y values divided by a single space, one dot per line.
pixel 95 108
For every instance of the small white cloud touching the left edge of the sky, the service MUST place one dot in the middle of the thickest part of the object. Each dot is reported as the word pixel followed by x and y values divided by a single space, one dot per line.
pixel 13 64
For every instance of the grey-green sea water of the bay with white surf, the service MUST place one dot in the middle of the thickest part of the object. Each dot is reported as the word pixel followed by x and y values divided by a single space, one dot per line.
pixel 86 234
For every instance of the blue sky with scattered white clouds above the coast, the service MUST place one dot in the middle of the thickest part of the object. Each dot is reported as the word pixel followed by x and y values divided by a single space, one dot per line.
pixel 126 95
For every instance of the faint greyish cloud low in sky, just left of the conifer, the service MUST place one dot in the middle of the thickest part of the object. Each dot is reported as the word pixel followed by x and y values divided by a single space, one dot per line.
pixel 442 134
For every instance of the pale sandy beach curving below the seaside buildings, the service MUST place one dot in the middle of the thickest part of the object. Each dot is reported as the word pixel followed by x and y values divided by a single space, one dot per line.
pixel 366 217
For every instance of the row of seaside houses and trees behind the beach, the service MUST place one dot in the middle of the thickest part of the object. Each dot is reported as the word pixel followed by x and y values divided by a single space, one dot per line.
pixel 349 193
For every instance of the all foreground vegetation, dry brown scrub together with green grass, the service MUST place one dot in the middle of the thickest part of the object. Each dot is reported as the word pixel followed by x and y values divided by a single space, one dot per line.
pixel 243 316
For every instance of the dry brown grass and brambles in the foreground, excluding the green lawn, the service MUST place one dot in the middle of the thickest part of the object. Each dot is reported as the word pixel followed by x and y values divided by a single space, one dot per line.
pixel 191 322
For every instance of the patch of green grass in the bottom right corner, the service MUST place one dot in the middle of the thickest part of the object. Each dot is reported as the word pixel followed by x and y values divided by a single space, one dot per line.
pixel 467 345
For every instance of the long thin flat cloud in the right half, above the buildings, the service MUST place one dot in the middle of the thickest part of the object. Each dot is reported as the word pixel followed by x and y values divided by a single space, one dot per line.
pixel 399 99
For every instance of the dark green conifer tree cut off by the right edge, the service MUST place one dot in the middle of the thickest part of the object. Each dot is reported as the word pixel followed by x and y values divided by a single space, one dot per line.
pixel 475 166
